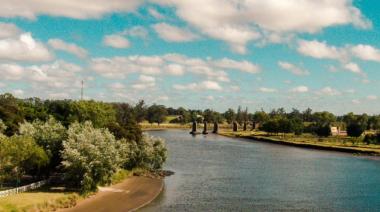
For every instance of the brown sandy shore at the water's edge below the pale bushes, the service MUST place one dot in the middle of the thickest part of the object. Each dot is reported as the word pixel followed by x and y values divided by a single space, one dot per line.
pixel 130 195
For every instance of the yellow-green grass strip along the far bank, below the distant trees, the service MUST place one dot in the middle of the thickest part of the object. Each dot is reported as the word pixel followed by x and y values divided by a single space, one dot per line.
pixel 337 143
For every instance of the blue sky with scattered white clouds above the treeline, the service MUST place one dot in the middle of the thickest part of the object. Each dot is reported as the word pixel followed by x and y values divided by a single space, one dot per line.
pixel 323 54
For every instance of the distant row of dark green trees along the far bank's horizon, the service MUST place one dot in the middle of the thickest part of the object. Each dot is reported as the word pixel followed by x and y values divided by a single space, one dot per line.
pixel 274 122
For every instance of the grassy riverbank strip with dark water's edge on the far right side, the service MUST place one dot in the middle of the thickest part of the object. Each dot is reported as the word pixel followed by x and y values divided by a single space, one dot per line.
pixel 331 144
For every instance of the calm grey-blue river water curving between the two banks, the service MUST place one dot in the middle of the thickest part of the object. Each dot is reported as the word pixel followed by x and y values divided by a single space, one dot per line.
pixel 215 173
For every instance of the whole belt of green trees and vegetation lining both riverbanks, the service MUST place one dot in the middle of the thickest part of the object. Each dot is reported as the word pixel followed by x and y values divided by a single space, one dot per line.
pixel 83 144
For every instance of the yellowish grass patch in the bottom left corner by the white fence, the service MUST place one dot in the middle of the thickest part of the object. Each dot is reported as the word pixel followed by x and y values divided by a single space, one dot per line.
pixel 44 199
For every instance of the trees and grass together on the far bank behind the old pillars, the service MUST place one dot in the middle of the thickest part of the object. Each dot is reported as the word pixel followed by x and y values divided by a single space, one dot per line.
pixel 357 132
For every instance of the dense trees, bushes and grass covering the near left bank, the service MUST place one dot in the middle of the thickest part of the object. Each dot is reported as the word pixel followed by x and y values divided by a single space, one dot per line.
pixel 78 145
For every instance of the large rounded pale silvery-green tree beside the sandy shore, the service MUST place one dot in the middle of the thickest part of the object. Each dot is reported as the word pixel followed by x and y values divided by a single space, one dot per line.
pixel 91 156
